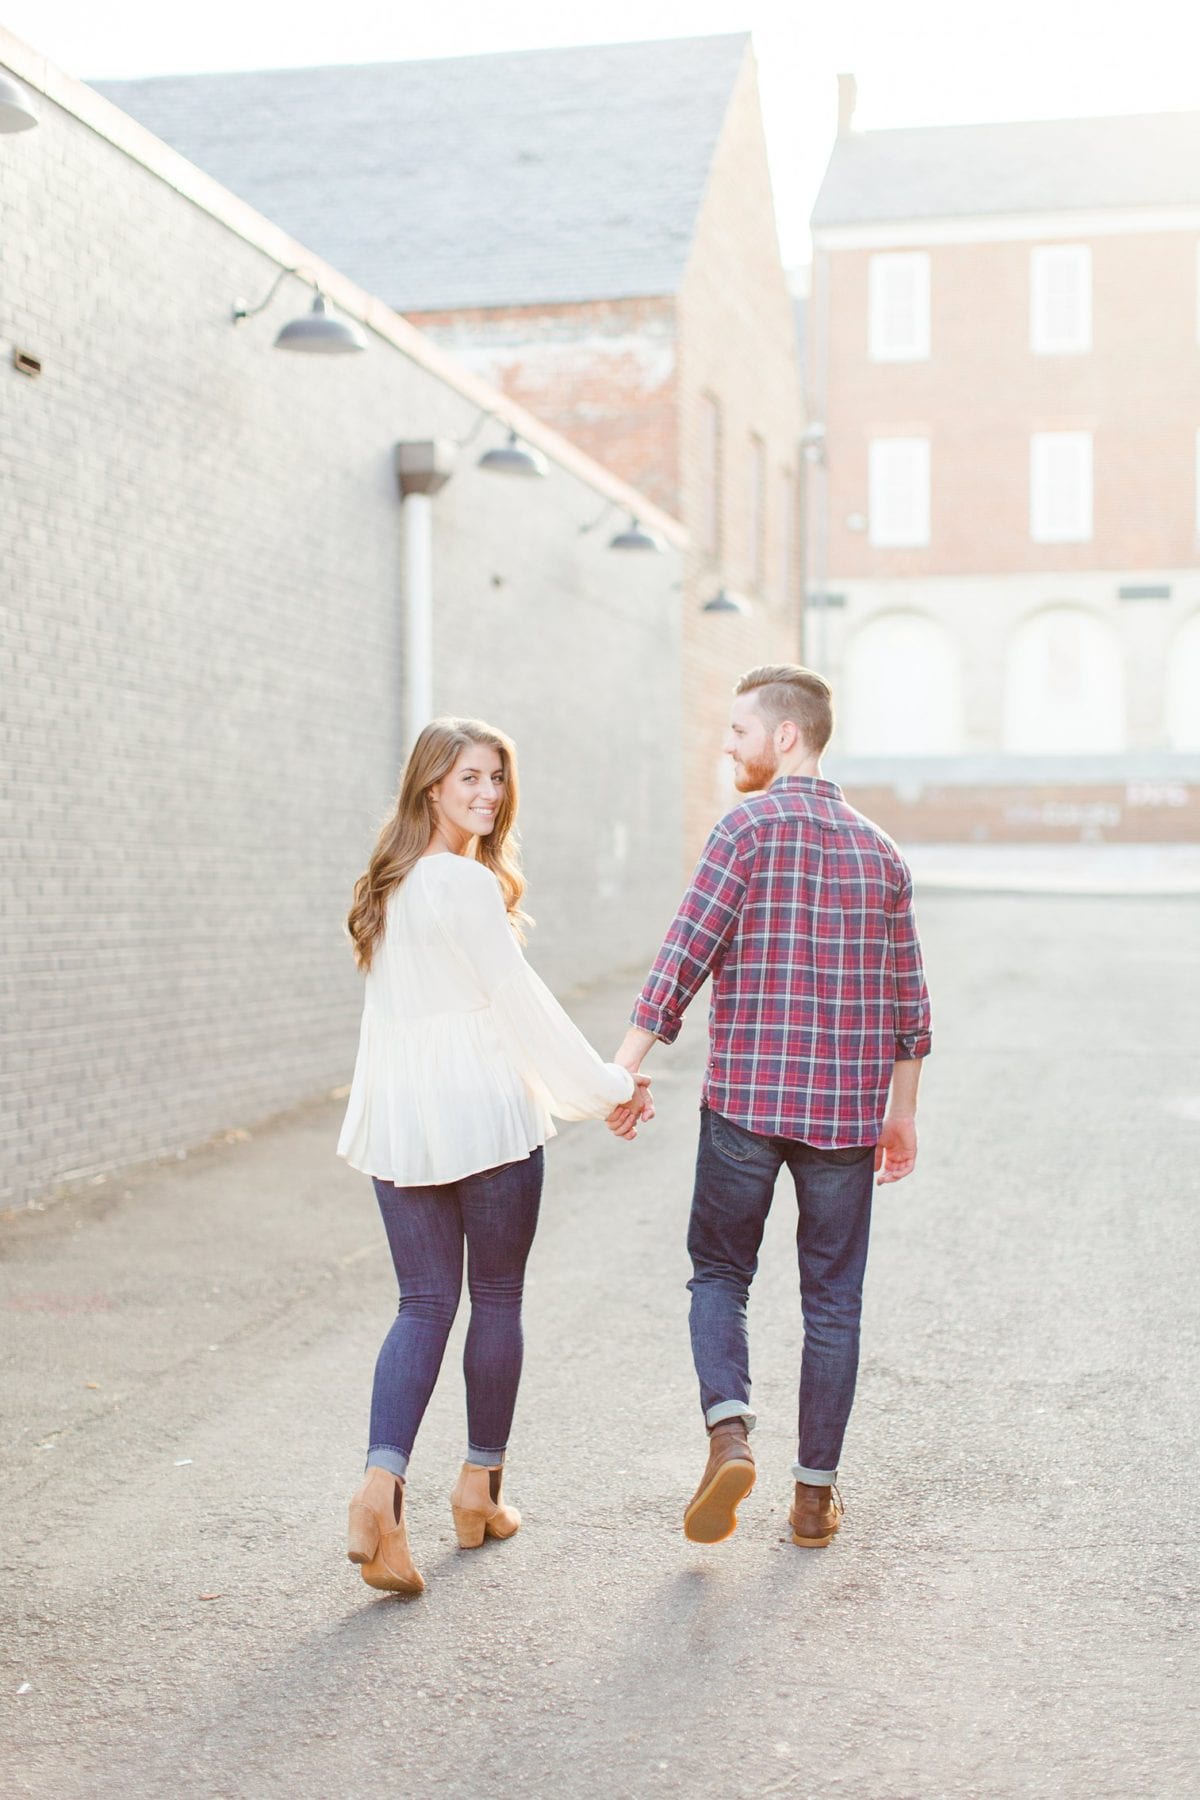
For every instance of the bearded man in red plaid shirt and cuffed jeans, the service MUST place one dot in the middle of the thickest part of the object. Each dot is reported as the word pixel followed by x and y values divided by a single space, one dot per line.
pixel 801 912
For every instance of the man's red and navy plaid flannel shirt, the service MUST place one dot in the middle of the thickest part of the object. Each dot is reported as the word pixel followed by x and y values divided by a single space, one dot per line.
pixel 801 912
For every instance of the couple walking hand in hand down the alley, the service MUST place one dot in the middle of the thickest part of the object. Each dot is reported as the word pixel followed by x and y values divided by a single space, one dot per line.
pixel 801 913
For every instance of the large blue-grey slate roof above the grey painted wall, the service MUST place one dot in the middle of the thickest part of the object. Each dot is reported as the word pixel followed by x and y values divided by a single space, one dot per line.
pixel 485 181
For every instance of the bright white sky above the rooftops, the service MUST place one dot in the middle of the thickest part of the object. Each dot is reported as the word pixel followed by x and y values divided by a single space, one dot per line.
pixel 926 62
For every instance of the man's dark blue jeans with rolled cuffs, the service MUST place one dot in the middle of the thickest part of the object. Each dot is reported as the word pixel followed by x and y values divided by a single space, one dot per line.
pixel 737 1174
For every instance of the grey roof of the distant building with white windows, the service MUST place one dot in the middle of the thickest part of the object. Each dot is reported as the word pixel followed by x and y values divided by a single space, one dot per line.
pixel 1043 166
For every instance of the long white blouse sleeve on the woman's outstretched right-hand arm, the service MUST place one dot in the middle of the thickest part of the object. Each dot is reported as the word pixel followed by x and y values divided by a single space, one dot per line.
pixel 553 1056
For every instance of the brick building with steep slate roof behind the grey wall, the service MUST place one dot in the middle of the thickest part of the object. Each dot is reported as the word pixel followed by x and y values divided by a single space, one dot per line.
pixel 595 231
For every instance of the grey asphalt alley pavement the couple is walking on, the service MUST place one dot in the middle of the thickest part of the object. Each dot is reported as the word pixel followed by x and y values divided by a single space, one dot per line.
pixel 1008 1612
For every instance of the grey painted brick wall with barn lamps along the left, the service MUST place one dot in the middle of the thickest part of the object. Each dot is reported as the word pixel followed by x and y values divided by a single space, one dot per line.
pixel 202 665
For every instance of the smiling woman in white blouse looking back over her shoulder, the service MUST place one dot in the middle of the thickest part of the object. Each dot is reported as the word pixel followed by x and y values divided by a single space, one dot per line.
pixel 461 1063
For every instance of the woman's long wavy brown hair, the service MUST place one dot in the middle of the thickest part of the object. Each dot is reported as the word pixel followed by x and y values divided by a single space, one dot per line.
pixel 406 836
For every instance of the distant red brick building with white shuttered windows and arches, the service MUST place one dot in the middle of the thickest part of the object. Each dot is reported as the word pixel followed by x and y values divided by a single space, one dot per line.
pixel 1005 355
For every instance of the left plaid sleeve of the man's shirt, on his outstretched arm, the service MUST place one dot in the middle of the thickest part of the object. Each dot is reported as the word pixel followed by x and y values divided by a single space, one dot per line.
pixel 697 940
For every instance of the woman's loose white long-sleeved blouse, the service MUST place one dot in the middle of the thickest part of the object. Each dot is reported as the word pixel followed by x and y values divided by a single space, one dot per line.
pixel 463 1054
